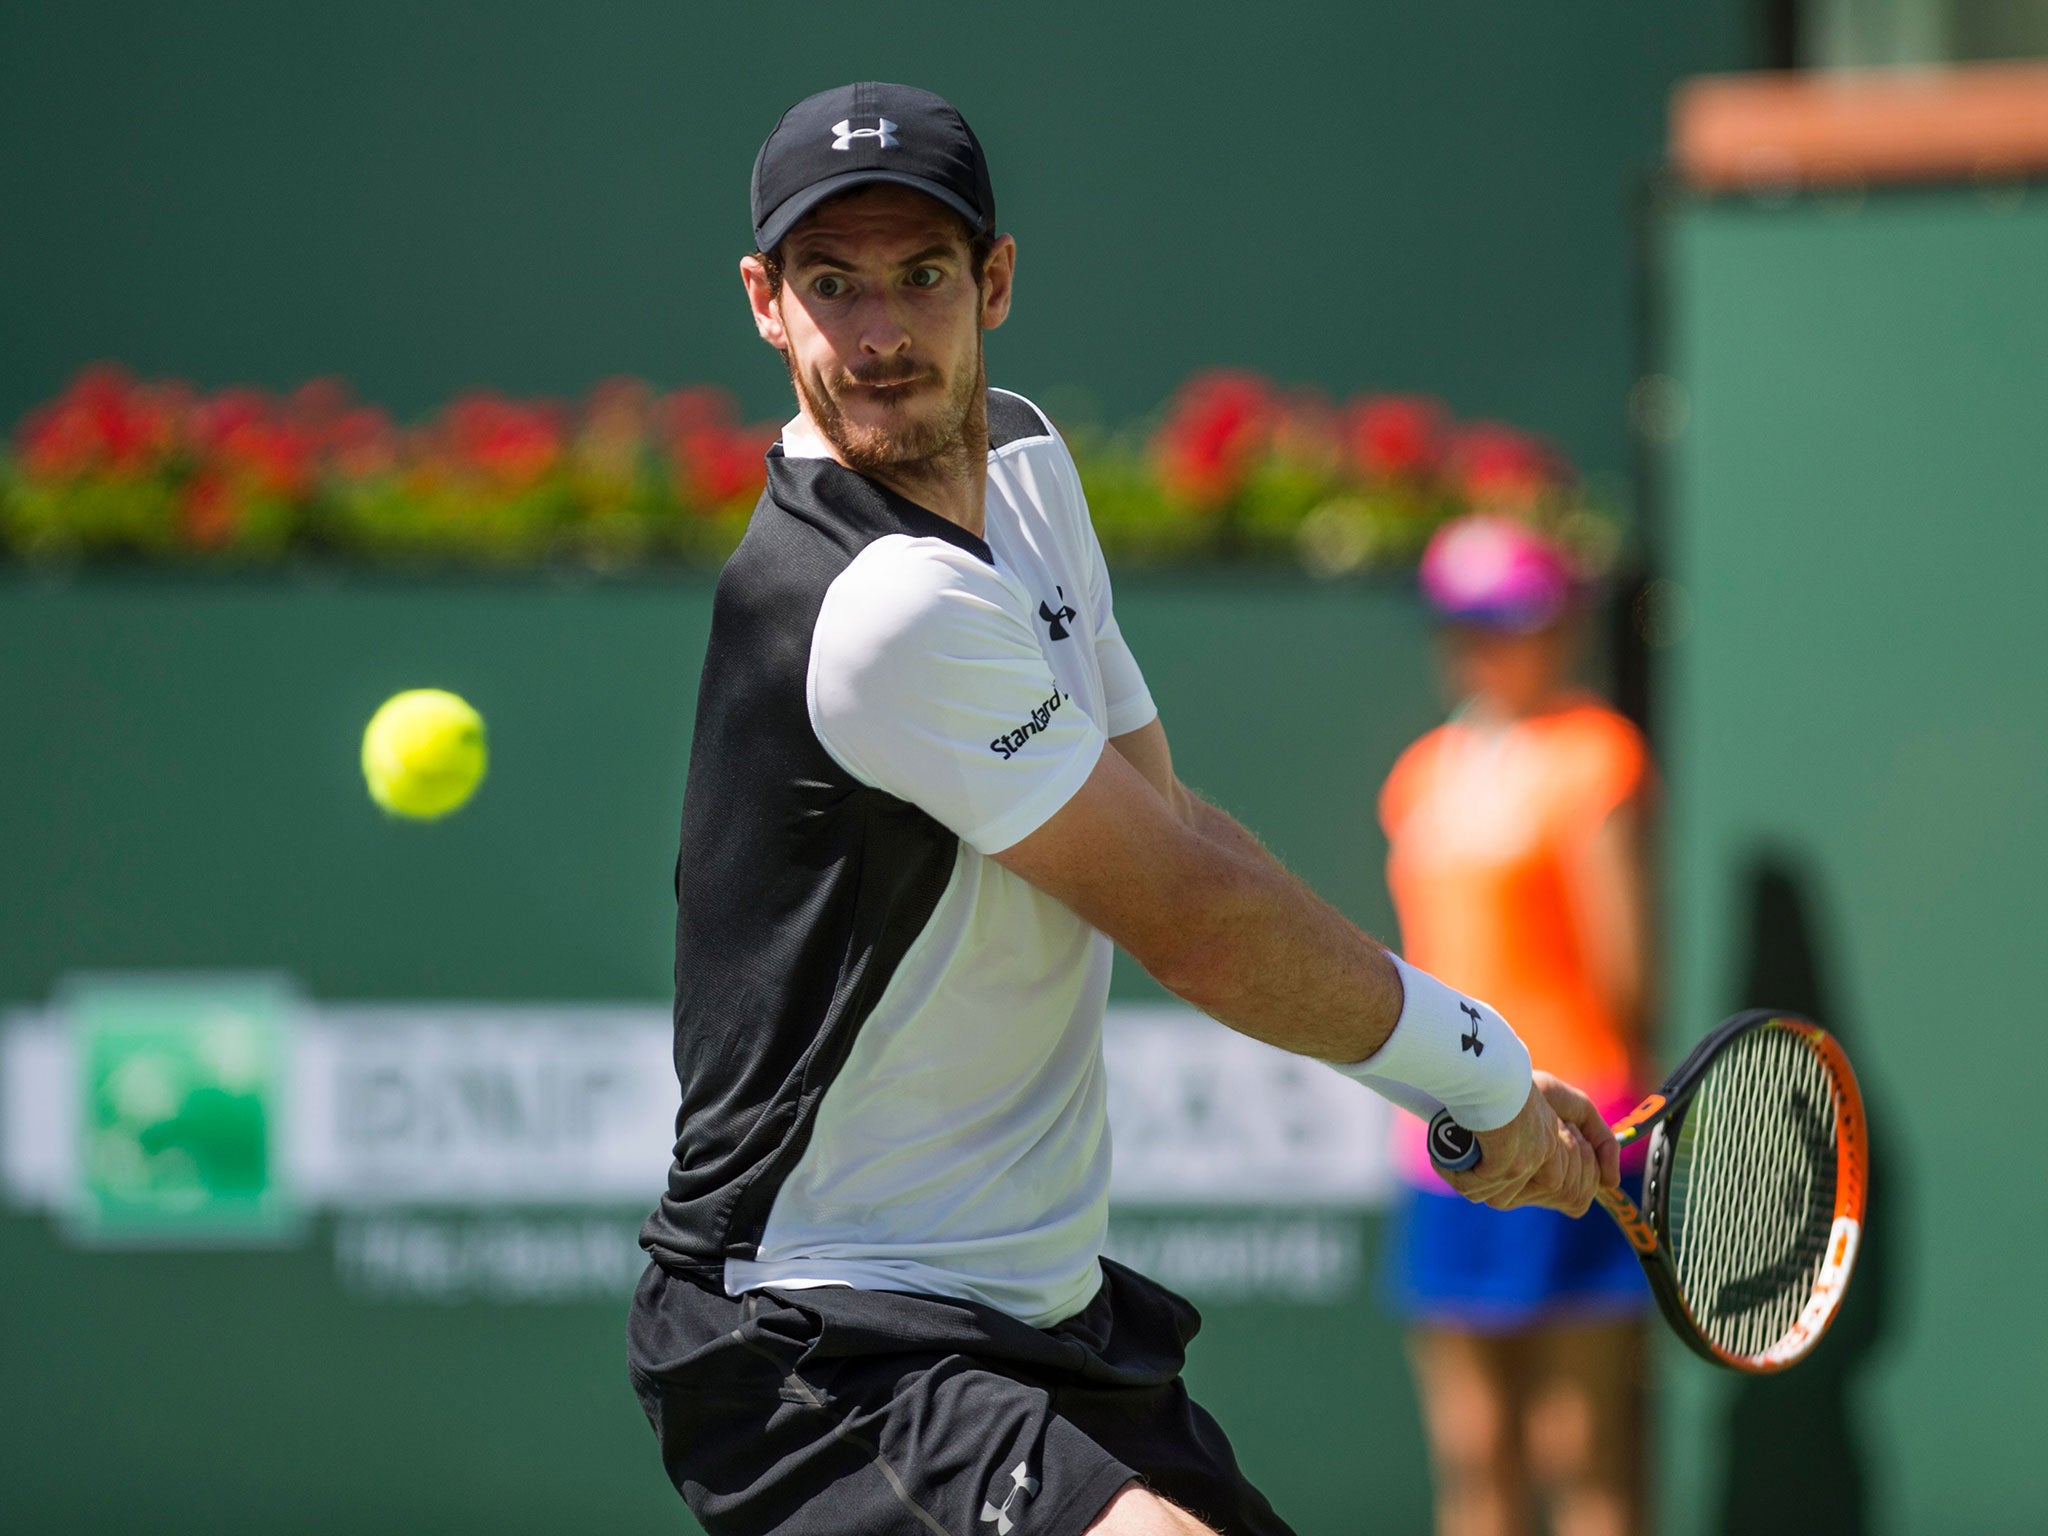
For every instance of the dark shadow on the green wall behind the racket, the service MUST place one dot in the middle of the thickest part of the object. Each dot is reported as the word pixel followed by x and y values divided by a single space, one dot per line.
pixel 1795 1459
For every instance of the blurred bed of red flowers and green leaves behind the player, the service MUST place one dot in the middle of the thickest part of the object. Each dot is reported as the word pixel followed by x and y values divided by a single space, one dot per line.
pixel 1236 470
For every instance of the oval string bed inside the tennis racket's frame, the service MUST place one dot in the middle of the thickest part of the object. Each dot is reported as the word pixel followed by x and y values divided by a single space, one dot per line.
pixel 1754 1191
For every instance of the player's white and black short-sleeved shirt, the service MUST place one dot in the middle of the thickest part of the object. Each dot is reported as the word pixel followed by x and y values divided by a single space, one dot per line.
pixel 890 1048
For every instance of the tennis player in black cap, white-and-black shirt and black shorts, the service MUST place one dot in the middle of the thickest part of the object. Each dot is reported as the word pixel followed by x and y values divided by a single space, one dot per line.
pixel 929 790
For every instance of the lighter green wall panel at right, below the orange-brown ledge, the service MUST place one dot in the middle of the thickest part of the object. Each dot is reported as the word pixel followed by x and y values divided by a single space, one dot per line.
pixel 1859 755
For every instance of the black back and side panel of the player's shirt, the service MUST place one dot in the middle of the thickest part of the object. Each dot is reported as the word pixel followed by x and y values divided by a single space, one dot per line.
pixel 798 888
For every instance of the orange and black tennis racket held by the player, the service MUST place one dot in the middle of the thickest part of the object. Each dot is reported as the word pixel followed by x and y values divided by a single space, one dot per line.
pixel 1754 1189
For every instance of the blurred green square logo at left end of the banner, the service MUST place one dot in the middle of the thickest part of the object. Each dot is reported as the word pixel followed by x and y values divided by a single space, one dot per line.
pixel 181 1109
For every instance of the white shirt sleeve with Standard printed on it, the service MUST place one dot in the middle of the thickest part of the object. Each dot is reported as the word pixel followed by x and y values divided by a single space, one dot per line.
pixel 927 681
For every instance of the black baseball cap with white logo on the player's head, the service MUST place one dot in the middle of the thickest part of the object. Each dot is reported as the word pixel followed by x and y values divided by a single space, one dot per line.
pixel 861 134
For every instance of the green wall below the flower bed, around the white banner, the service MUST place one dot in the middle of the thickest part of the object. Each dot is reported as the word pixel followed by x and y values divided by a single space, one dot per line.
pixel 181 792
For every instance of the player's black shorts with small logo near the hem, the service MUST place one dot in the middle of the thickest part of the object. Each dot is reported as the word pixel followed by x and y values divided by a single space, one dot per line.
pixel 871 1412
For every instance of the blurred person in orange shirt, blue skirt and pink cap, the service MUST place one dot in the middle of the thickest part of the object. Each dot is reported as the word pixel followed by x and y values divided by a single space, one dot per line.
pixel 1517 869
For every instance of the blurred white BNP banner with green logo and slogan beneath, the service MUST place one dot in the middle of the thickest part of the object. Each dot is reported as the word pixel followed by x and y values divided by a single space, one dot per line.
pixel 200 1111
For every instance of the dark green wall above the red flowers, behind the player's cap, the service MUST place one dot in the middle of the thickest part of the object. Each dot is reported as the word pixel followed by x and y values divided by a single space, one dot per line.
pixel 540 196
